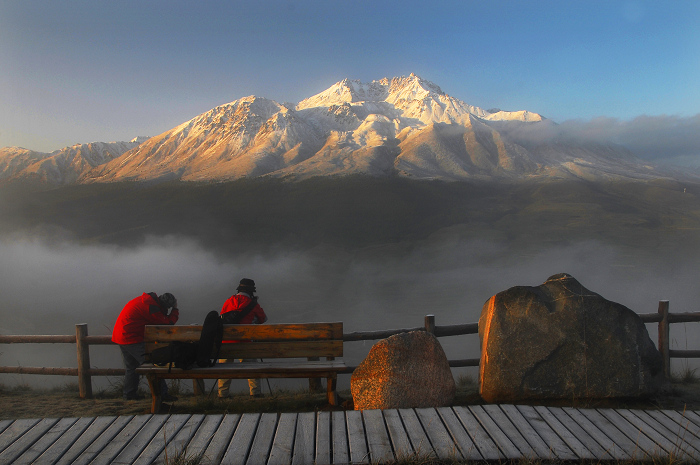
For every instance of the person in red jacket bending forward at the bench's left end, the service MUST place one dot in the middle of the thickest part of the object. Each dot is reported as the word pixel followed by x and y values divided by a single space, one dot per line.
pixel 147 309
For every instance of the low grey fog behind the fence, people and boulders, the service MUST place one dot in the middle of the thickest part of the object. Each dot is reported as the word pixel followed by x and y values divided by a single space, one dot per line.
pixel 47 289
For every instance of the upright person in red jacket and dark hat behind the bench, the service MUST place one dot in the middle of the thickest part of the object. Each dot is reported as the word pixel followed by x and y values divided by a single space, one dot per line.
pixel 242 308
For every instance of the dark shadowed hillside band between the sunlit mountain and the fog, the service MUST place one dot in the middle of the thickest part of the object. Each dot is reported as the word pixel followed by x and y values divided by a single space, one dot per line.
pixel 355 212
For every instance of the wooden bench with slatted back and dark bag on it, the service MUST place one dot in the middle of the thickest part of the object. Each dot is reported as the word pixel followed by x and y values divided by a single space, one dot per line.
pixel 289 345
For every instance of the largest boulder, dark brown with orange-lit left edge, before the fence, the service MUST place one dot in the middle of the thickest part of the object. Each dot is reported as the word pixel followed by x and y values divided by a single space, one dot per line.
pixel 561 341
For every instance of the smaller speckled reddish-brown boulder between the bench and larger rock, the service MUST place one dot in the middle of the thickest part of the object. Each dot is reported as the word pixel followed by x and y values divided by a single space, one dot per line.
pixel 407 370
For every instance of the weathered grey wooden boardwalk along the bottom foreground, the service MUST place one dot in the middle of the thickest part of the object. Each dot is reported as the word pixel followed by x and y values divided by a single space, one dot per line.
pixel 480 432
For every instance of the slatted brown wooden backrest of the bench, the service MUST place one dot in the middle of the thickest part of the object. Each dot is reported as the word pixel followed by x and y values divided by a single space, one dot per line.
pixel 295 340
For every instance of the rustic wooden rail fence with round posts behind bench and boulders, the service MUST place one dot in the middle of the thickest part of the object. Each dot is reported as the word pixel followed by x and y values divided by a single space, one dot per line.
pixel 83 341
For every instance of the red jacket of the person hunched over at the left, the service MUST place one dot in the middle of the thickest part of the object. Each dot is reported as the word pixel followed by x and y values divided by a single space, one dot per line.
pixel 139 312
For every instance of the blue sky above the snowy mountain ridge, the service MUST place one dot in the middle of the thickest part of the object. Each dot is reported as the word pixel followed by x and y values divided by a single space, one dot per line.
pixel 83 71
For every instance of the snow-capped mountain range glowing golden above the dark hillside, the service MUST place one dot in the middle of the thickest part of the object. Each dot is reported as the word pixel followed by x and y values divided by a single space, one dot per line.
pixel 403 126
